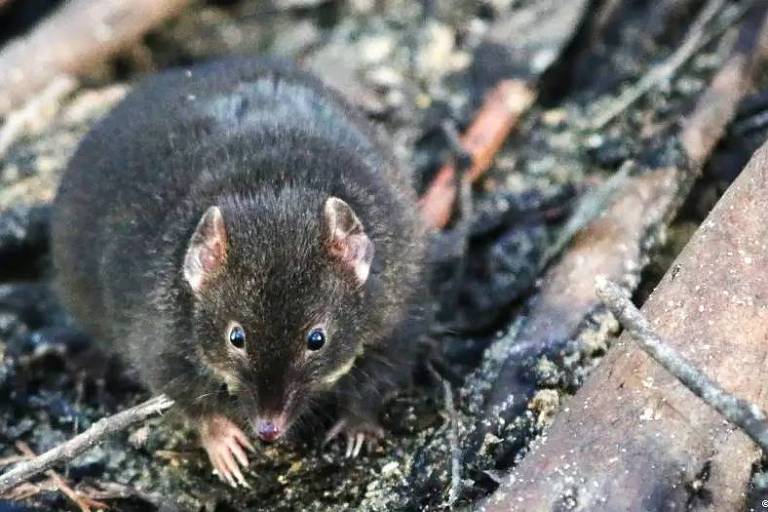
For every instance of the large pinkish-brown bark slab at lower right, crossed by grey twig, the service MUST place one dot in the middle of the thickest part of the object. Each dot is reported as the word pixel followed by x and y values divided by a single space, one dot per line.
pixel 634 438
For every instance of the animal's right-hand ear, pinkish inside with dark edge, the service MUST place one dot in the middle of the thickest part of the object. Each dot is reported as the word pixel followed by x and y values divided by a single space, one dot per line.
pixel 348 243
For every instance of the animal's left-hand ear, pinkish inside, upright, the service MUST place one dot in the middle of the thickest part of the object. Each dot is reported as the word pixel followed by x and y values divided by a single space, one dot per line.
pixel 207 249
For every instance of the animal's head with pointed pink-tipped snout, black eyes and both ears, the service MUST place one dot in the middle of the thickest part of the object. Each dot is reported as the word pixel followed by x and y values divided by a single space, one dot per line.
pixel 278 286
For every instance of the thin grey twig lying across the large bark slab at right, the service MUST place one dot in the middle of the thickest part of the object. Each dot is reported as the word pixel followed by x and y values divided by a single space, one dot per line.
pixel 745 415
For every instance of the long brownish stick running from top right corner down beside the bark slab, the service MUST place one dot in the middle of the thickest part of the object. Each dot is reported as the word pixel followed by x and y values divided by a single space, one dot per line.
pixel 615 243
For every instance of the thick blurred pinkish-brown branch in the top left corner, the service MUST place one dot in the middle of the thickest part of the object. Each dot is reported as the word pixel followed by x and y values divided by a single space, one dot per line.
pixel 80 34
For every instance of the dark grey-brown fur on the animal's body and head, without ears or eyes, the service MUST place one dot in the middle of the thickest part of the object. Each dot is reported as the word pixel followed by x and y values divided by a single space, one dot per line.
pixel 268 144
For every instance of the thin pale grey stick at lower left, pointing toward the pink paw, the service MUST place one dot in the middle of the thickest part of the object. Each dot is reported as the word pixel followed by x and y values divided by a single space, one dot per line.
pixel 83 441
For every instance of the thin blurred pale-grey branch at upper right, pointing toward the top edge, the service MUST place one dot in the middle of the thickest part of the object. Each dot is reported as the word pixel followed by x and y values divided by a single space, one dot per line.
pixel 696 38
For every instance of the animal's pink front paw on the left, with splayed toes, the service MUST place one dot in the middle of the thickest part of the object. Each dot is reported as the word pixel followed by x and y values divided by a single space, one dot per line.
pixel 224 443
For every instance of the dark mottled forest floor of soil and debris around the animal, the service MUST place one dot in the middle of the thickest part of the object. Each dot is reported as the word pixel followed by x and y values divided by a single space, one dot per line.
pixel 412 67
